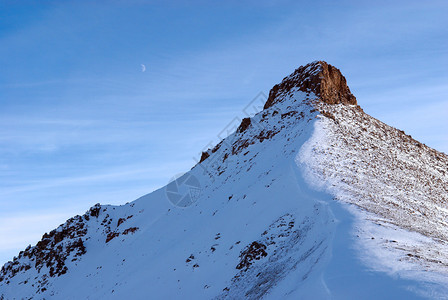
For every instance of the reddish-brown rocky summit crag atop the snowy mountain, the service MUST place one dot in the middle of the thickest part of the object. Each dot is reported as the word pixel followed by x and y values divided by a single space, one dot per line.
pixel 318 77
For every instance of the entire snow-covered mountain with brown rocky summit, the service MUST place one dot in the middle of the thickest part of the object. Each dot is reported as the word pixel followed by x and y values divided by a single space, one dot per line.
pixel 311 198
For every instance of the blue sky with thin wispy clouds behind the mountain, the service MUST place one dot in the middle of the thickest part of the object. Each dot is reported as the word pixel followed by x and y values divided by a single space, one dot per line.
pixel 80 123
